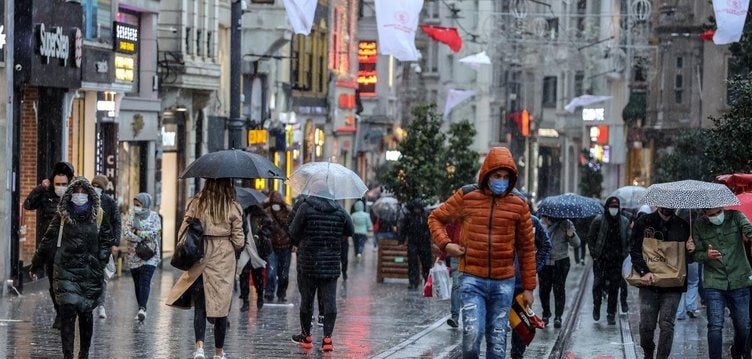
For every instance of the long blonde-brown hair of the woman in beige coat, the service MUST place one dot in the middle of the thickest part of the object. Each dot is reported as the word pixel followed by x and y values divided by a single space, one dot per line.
pixel 216 200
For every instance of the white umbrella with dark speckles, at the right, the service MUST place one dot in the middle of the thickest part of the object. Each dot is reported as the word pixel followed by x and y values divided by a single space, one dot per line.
pixel 689 194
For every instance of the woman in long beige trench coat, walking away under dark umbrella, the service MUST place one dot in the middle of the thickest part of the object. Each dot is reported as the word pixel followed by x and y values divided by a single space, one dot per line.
pixel 208 284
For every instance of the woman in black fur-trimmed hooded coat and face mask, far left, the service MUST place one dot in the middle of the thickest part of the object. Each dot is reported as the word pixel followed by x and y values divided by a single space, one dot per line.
pixel 80 249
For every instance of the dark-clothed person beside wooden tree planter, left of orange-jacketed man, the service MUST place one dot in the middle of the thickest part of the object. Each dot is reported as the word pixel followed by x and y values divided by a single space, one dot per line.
pixel 414 231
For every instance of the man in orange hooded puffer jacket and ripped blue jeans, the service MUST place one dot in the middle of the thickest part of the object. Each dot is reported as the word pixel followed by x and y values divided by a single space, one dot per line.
pixel 496 225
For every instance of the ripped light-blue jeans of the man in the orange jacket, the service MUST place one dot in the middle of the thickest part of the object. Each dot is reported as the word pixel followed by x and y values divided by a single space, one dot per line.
pixel 485 310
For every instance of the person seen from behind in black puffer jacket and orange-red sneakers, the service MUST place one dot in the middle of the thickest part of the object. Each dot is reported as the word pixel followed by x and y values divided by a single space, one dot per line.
pixel 316 231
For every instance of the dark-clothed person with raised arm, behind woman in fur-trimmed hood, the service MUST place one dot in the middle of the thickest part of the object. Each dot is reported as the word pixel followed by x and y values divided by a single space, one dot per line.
pixel 44 199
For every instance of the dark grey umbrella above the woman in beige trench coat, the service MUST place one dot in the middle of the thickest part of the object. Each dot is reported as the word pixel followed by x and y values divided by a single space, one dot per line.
pixel 232 164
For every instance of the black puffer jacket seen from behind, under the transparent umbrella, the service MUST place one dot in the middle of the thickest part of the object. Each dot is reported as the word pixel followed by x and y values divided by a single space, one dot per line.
pixel 317 230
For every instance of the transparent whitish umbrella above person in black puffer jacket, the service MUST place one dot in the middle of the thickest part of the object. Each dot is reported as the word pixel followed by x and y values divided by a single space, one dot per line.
pixel 326 180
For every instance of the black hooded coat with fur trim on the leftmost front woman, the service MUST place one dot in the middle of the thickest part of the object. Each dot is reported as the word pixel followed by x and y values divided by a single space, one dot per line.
pixel 83 253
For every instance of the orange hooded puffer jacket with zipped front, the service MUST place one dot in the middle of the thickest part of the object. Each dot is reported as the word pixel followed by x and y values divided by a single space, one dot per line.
pixel 493 227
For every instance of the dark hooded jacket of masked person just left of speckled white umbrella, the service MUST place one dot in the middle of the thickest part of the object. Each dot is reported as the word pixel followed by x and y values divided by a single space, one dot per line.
pixel 597 237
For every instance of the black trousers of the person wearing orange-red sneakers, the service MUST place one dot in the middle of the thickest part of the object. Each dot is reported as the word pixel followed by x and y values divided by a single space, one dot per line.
pixel 327 292
